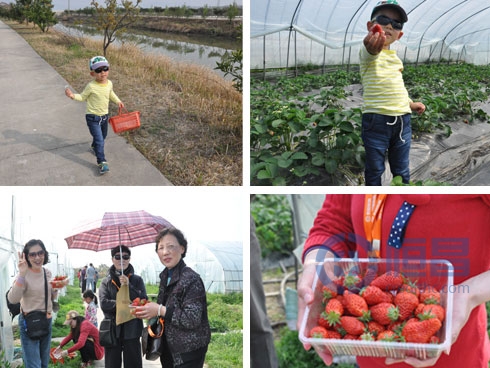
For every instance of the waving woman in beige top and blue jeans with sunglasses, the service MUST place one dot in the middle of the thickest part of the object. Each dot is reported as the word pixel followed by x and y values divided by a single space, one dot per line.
pixel 29 289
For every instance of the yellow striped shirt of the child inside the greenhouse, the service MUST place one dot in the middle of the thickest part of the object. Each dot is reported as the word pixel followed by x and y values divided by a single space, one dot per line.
pixel 382 80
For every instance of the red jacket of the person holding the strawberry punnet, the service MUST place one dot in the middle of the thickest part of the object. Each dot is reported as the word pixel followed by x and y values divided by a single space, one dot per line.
pixel 452 227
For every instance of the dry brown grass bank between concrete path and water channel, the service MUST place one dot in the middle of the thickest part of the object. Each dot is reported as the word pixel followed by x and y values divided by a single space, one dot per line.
pixel 191 117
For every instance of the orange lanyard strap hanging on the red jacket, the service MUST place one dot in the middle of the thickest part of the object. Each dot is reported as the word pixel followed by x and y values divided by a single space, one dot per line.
pixel 373 214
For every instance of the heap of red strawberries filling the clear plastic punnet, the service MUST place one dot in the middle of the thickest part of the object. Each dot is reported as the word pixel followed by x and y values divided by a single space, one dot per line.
pixel 389 308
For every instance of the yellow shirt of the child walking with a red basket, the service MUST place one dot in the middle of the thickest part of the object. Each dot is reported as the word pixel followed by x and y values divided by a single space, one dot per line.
pixel 98 96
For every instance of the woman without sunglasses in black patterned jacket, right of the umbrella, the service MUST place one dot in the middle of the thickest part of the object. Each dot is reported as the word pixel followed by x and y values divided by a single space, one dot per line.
pixel 182 303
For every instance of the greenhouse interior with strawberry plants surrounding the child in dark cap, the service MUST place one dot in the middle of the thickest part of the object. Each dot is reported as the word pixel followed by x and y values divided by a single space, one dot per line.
pixel 306 95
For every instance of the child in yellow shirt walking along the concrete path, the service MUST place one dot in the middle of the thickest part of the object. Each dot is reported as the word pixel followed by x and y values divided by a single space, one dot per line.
pixel 98 93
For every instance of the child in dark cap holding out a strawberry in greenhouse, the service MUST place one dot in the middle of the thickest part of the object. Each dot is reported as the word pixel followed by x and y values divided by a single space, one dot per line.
pixel 387 107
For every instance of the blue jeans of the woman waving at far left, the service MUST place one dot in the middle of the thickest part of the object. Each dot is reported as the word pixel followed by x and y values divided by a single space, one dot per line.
pixel 35 353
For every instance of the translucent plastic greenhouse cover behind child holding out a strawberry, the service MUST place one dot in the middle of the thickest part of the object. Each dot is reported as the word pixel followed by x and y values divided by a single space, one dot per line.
pixel 324 29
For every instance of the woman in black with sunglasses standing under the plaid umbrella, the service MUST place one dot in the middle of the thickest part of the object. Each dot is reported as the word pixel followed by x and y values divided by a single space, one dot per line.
pixel 128 347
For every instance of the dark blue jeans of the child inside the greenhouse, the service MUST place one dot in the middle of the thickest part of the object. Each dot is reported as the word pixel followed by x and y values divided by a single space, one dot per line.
pixel 381 134
